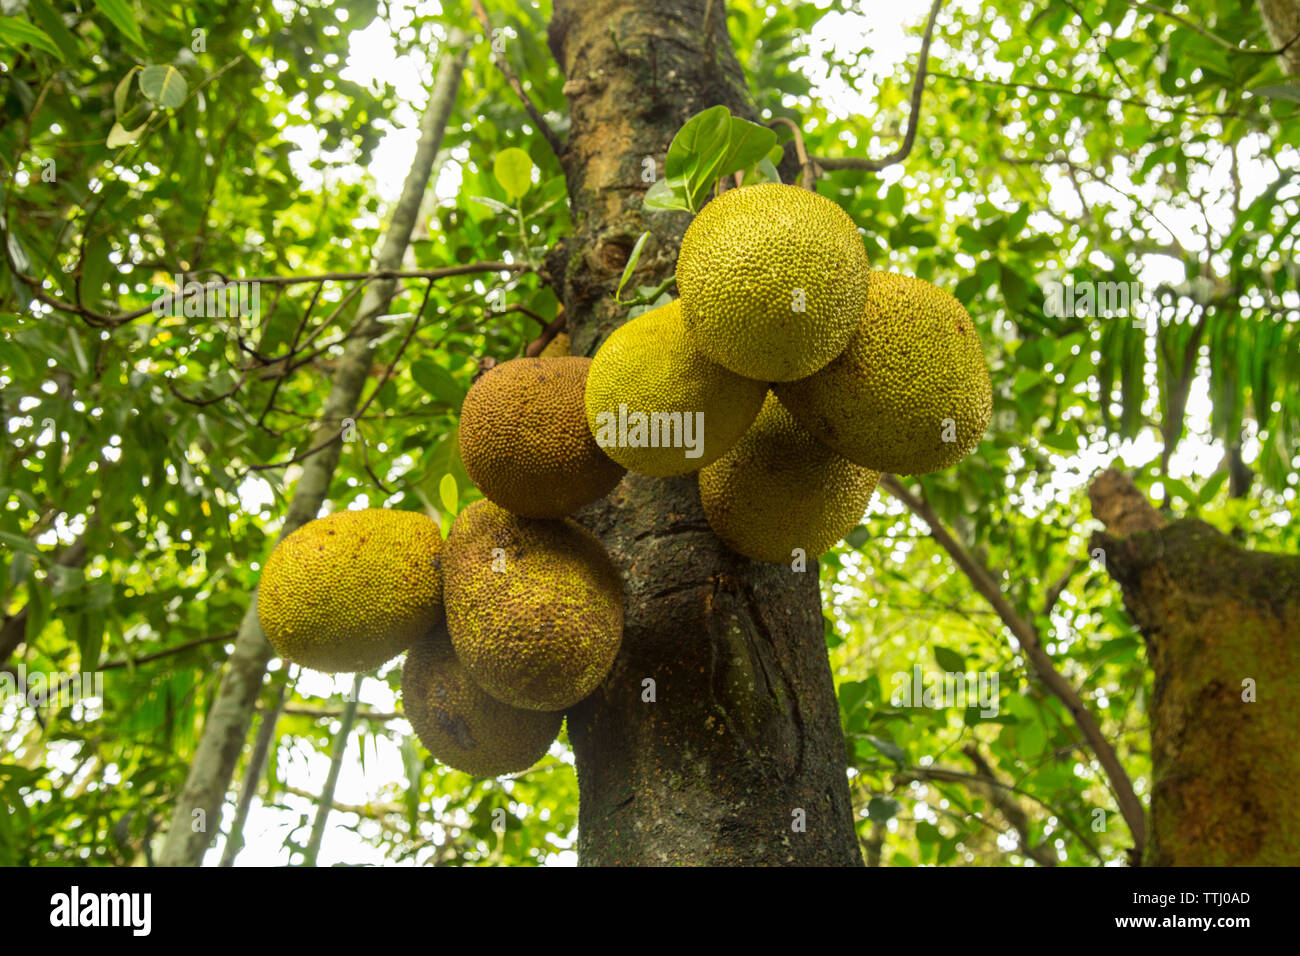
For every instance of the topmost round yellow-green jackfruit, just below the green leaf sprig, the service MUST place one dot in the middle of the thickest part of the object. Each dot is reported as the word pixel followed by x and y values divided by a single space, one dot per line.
pixel 773 280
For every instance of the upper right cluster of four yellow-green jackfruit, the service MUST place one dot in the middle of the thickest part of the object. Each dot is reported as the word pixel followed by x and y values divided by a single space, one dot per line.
pixel 790 375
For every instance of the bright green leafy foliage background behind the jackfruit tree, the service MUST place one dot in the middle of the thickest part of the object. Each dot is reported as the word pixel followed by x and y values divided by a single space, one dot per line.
pixel 148 461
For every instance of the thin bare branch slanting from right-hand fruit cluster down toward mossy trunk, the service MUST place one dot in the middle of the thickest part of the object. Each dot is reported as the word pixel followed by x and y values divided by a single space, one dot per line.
pixel 1028 637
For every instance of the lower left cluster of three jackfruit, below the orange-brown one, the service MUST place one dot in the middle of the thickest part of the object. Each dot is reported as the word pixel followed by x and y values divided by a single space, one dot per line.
pixel 508 624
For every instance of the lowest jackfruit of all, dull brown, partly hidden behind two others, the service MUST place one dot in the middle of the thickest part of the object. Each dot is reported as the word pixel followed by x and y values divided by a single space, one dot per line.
pixel 460 724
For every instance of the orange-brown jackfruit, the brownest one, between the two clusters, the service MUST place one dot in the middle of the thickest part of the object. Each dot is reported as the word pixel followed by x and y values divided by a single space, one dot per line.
pixel 526 443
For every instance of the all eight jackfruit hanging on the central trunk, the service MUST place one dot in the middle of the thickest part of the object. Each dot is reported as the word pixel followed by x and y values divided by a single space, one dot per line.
pixel 788 374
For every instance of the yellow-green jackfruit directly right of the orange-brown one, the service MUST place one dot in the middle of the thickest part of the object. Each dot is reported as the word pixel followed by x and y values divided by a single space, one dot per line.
pixel 660 408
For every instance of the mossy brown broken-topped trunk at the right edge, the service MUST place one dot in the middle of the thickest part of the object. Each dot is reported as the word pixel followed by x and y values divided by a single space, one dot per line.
pixel 1223 633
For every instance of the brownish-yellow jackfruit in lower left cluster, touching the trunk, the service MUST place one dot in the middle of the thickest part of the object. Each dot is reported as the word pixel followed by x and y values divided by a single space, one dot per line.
pixel 535 607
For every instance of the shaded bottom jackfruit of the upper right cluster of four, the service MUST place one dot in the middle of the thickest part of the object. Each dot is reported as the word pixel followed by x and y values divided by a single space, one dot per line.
pixel 781 490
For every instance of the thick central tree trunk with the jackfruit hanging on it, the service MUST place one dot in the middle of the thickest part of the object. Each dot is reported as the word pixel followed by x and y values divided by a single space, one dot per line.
pixel 734 755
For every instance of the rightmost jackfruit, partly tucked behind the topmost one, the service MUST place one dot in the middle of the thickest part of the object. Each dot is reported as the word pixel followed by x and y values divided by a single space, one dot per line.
pixel 911 395
